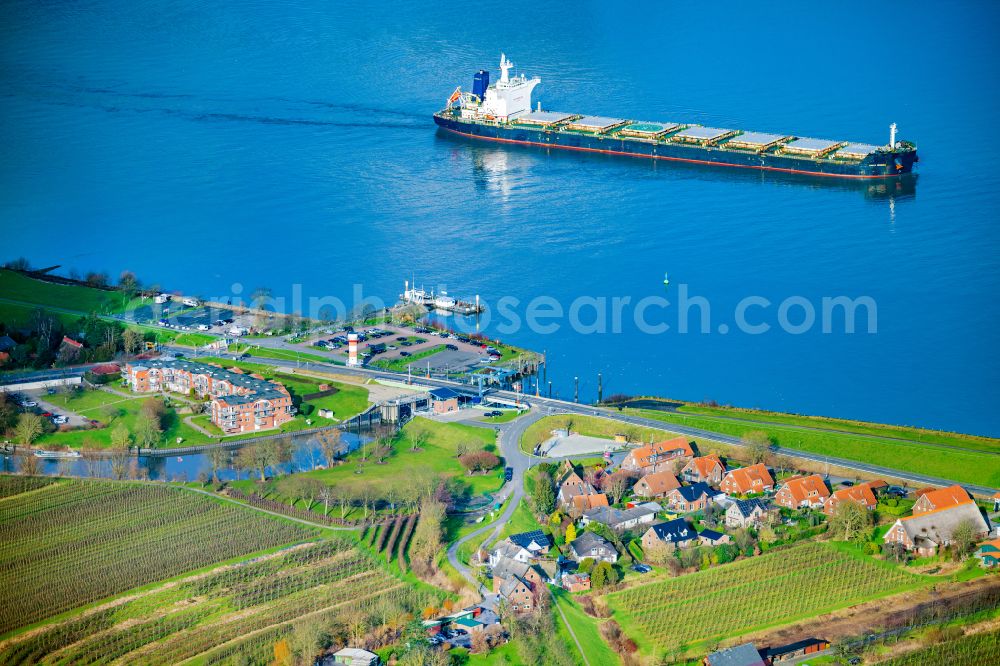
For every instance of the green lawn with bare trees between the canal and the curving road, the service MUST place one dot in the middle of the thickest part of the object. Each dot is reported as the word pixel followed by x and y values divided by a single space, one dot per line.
pixel 406 468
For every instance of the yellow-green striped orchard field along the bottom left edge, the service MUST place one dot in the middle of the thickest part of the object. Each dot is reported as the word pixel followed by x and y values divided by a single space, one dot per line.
pixel 238 613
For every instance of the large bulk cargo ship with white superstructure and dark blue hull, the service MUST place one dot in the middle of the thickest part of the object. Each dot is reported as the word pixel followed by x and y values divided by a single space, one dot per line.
pixel 502 112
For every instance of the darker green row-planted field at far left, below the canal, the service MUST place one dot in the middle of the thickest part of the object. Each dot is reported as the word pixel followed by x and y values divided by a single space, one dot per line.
pixel 71 543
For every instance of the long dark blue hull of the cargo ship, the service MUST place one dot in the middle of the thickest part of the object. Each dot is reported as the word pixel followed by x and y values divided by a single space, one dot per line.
pixel 882 164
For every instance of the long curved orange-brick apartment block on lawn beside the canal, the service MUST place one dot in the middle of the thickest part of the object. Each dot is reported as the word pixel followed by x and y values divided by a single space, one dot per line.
pixel 240 402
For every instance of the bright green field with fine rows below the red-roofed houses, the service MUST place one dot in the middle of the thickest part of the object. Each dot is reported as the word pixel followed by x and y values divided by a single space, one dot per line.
pixel 769 590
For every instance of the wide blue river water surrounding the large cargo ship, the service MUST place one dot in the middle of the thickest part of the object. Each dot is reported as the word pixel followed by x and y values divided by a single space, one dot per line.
pixel 291 143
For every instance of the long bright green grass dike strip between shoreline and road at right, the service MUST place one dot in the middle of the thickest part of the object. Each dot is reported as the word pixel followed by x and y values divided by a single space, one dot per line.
pixel 967 466
